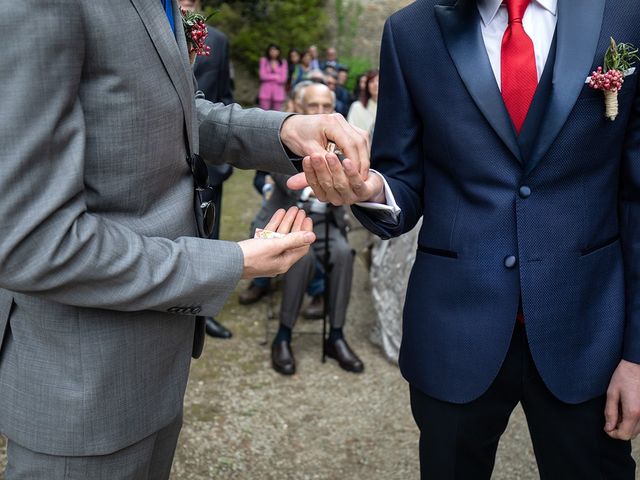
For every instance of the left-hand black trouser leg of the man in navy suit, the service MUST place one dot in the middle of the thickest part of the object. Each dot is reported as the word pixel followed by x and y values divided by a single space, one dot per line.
pixel 459 441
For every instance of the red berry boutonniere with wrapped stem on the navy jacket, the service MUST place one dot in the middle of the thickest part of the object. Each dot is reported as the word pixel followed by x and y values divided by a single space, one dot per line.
pixel 618 63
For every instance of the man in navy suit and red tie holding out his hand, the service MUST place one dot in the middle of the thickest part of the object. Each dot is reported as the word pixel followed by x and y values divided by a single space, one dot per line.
pixel 531 206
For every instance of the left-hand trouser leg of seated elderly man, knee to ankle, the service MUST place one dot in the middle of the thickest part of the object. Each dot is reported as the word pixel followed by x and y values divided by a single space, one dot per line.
pixel 294 284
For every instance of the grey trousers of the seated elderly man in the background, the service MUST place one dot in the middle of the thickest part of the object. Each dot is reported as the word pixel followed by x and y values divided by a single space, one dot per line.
pixel 295 281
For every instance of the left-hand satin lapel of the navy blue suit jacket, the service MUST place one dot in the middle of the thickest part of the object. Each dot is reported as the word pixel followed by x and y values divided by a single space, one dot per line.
pixel 461 29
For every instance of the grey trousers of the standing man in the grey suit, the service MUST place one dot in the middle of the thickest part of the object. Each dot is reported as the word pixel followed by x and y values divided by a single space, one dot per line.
pixel 149 459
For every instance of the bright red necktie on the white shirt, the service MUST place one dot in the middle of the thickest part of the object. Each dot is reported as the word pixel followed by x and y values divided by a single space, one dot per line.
pixel 519 76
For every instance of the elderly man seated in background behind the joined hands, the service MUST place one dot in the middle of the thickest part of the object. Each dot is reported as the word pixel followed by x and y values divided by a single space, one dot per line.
pixel 315 98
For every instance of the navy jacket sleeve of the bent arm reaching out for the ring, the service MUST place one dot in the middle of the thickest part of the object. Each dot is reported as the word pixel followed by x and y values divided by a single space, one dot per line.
pixel 397 146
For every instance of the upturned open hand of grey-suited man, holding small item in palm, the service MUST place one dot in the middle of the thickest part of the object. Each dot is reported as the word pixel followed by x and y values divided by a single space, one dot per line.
pixel 271 257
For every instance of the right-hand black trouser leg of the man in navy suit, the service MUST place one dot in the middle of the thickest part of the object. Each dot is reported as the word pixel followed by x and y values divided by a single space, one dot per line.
pixel 569 440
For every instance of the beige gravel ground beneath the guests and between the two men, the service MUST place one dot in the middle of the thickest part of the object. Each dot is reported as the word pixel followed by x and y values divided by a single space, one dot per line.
pixel 243 421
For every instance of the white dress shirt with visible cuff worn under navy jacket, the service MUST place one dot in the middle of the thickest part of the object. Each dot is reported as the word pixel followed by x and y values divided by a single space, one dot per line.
pixel 539 21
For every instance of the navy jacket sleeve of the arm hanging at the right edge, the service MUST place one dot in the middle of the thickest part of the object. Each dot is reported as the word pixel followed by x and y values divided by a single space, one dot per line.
pixel 630 231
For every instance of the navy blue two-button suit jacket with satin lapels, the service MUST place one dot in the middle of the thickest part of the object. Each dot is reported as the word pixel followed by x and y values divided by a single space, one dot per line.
pixel 568 243
